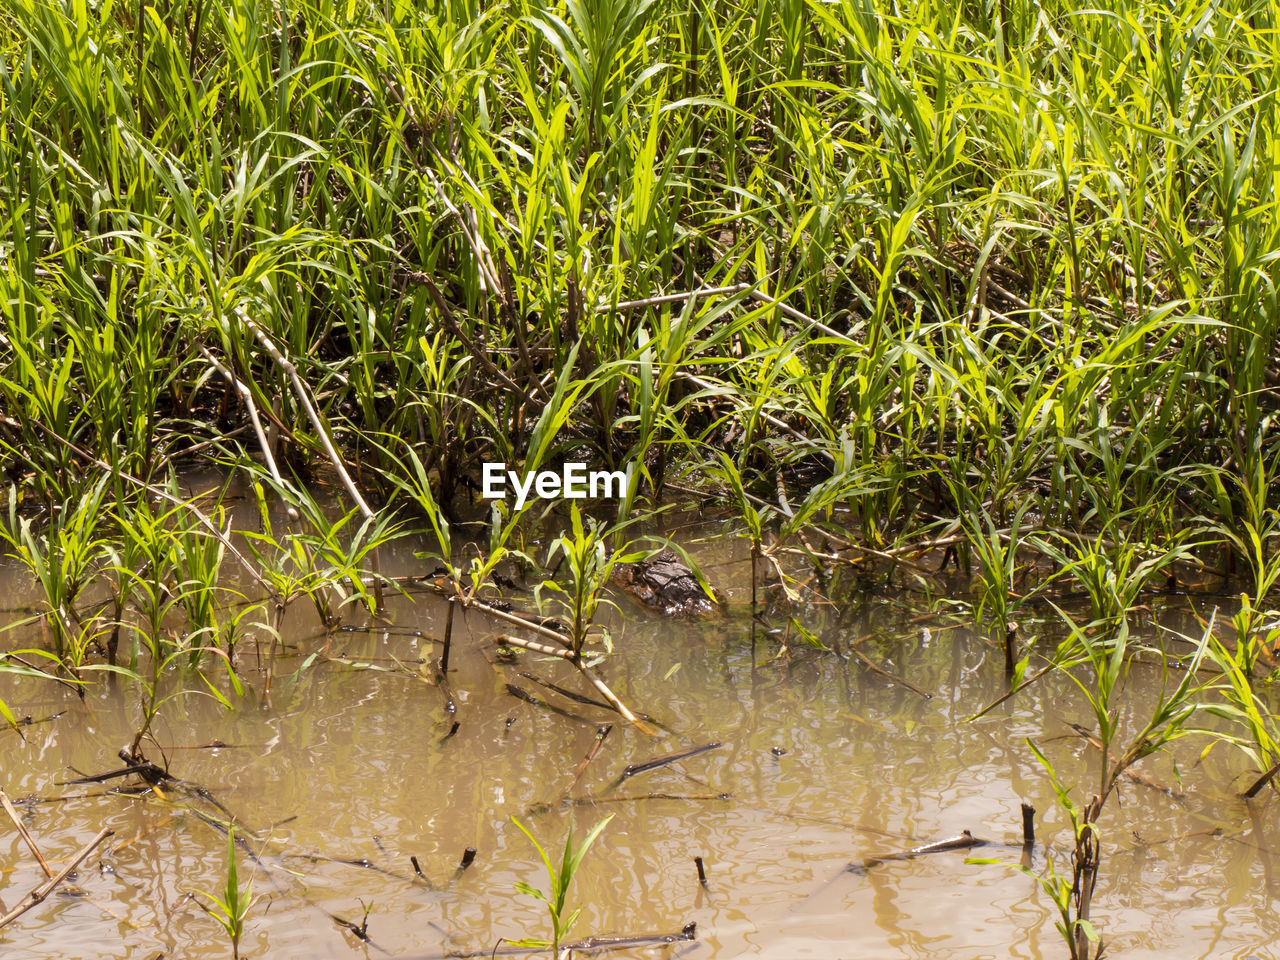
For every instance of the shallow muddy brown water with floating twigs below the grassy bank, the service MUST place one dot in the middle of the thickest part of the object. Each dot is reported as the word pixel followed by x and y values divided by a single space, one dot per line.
pixel 824 765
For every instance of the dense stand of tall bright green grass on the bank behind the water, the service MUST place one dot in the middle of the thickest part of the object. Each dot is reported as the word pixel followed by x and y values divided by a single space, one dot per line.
pixel 630 234
